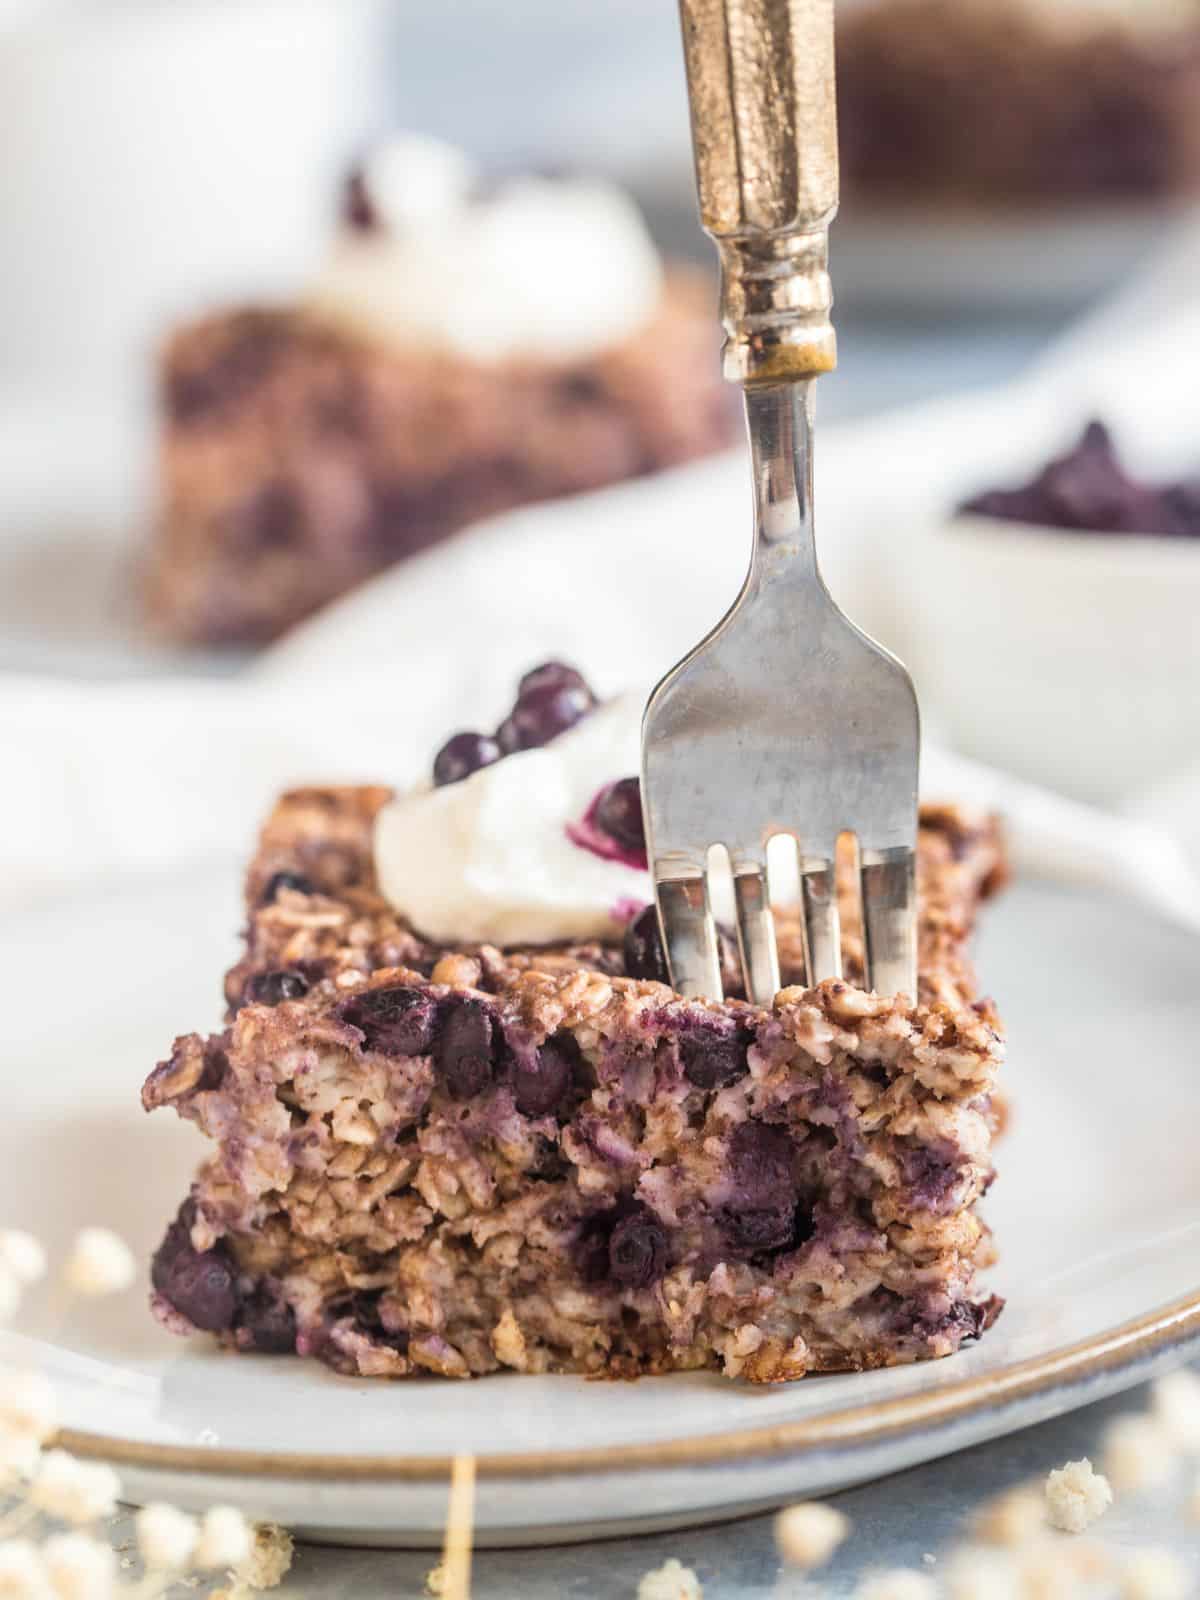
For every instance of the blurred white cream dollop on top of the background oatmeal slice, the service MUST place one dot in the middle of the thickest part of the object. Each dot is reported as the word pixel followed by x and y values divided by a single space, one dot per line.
pixel 546 268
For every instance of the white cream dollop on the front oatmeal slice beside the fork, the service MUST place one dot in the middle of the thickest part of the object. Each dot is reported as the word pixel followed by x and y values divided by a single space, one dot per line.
pixel 492 860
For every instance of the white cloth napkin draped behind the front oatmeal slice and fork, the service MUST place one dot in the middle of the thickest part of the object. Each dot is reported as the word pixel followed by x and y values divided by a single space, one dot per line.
pixel 111 778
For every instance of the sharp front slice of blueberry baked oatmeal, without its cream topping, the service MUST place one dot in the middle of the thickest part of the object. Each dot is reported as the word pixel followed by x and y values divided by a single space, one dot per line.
pixel 457 1158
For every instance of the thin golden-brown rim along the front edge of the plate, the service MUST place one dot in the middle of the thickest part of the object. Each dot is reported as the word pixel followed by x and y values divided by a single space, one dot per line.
pixel 1127 1346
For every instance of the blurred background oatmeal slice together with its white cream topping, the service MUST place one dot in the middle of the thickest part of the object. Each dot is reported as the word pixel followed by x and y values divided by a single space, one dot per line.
pixel 430 377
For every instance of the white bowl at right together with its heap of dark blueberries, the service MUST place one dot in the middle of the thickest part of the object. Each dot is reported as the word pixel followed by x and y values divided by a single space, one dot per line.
pixel 1050 617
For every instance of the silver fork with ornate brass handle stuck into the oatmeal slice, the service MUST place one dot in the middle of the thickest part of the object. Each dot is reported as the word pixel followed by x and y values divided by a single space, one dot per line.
pixel 786 719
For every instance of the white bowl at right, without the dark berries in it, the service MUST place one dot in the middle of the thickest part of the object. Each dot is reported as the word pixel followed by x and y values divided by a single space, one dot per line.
pixel 1068 658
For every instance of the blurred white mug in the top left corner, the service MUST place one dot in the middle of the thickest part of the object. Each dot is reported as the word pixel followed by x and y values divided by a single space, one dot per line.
pixel 158 158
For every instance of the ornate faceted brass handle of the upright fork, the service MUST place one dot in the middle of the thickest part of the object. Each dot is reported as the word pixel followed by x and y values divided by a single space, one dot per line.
pixel 764 130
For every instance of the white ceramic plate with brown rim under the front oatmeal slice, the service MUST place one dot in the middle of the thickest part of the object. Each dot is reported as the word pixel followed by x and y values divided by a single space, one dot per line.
pixel 1095 1212
